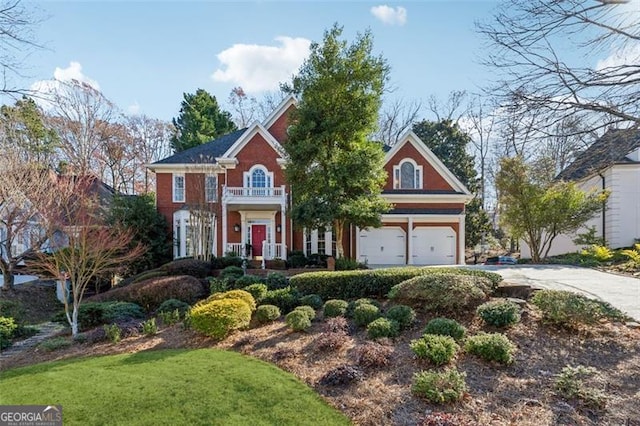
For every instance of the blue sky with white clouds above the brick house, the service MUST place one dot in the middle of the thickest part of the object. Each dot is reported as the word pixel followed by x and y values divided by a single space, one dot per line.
pixel 144 55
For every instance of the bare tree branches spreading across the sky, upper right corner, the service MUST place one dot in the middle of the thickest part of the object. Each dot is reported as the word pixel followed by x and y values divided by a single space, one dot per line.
pixel 529 45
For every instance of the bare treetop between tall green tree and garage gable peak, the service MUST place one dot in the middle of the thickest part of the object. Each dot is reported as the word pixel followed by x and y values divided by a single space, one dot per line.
pixel 396 119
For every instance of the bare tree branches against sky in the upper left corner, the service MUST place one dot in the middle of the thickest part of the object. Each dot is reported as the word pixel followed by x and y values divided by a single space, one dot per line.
pixel 17 41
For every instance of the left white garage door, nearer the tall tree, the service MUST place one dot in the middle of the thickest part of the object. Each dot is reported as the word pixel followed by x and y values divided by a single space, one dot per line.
pixel 384 246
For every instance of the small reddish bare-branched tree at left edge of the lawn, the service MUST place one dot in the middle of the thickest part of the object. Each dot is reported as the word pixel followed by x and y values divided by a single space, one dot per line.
pixel 92 249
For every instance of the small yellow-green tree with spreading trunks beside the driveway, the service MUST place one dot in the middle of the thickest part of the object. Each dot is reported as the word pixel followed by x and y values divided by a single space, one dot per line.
pixel 537 210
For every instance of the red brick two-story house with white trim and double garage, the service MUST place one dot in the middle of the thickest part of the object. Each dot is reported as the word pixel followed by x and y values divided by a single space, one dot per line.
pixel 230 195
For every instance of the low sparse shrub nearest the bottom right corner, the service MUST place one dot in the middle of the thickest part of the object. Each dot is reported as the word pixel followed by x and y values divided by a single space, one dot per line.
pixel 570 384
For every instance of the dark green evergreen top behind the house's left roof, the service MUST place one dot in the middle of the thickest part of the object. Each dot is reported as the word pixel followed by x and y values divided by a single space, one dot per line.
pixel 200 120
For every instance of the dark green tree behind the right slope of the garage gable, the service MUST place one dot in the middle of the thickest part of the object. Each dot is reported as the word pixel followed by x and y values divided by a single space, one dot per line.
pixel 449 143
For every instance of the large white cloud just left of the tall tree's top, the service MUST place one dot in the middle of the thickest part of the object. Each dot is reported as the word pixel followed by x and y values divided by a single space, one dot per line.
pixel 259 68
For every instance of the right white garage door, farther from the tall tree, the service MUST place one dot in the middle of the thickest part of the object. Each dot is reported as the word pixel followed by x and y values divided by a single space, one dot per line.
pixel 434 246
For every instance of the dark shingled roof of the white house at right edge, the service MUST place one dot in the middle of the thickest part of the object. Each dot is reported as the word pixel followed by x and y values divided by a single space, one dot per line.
pixel 612 148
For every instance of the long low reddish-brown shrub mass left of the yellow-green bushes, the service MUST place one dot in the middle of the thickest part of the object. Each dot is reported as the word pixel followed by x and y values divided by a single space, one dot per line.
pixel 151 293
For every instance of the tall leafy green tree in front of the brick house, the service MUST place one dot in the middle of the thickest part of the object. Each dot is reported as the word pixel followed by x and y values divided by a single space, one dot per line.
pixel 336 173
